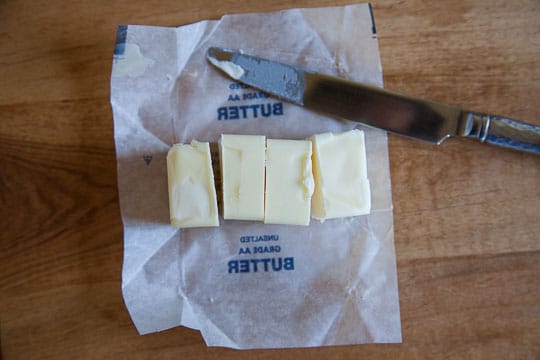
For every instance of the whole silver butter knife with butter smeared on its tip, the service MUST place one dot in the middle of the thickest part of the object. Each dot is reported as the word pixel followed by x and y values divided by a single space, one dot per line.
pixel 416 118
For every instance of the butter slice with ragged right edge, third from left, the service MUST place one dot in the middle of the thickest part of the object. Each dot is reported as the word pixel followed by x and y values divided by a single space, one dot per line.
pixel 289 182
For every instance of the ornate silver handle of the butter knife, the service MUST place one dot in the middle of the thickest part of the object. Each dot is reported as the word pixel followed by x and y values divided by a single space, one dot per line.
pixel 503 132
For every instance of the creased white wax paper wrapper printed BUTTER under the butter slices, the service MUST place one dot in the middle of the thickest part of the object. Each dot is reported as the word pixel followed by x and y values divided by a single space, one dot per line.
pixel 327 283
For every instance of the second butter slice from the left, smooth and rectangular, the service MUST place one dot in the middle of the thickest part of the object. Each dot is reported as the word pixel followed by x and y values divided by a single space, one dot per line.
pixel 242 172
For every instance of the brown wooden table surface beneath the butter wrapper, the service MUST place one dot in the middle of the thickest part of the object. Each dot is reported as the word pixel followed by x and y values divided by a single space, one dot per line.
pixel 467 216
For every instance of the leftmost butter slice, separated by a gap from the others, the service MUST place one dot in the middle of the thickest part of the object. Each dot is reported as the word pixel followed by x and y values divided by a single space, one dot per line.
pixel 192 193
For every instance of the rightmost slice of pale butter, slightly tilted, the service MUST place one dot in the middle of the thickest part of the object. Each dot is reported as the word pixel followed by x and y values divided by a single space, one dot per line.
pixel 340 171
